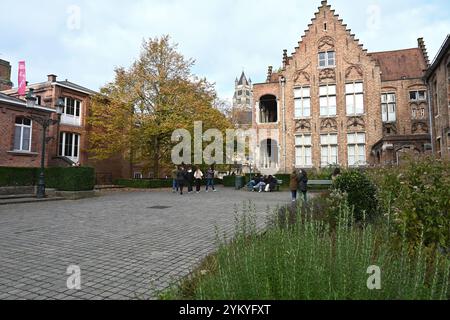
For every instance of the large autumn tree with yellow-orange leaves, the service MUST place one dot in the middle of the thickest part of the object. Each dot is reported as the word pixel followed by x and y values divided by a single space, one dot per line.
pixel 137 113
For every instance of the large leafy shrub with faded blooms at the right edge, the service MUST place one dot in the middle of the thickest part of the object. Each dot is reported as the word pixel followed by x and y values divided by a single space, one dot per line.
pixel 416 197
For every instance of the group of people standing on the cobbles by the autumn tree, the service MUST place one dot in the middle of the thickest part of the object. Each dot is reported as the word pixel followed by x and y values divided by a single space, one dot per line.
pixel 188 176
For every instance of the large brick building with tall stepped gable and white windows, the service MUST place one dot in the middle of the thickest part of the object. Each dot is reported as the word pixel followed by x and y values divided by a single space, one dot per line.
pixel 334 103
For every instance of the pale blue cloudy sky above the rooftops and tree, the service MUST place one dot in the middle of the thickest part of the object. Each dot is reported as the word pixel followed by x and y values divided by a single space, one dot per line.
pixel 84 40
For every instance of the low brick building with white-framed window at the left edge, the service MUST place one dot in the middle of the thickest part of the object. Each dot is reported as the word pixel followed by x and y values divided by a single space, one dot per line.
pixel 21 138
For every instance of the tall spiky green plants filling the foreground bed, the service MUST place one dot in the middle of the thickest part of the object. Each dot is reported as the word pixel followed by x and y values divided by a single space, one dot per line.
pixel 302 258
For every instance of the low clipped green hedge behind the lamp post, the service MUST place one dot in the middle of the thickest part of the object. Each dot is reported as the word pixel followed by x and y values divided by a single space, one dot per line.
pixel 63 179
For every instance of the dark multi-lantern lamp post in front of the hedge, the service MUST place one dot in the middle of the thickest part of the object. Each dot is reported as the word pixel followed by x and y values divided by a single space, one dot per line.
pixel 45 123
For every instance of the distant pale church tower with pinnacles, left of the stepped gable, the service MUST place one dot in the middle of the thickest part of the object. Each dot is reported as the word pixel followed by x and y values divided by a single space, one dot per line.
pixel 242 102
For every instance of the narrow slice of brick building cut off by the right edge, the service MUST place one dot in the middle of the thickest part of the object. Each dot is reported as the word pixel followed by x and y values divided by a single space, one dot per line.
pixel 438 80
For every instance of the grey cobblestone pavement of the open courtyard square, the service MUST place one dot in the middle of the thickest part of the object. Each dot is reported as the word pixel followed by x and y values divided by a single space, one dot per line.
pixel 124 247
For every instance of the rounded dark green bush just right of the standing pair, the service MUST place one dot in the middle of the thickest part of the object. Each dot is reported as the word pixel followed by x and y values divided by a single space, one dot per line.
pixel 361 194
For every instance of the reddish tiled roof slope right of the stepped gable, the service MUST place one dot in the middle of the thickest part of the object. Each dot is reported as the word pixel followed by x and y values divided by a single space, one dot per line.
pixel 400 64
